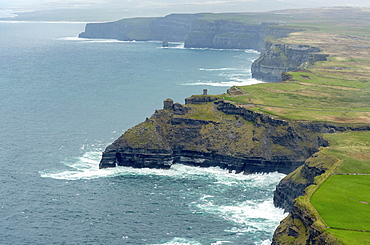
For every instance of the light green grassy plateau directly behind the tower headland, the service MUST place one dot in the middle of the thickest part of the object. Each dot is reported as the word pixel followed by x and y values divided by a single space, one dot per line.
pixel 311 97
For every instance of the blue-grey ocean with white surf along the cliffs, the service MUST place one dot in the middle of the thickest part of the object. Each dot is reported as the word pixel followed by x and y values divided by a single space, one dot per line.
pixel 64 99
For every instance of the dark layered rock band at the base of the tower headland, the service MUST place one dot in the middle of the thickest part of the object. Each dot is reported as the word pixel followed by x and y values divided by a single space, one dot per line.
pixel 161 160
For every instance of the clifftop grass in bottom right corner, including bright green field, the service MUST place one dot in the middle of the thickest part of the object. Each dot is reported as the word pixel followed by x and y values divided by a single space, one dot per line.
pixel 343 201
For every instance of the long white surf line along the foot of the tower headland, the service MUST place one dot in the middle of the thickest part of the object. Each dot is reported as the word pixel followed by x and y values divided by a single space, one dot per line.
pixel 87 167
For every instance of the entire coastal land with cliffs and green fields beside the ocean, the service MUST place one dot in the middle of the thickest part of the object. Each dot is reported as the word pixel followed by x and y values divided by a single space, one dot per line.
pixel 310 120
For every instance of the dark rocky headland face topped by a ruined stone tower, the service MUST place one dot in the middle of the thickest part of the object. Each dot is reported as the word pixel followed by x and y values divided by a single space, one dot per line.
pixel 204 133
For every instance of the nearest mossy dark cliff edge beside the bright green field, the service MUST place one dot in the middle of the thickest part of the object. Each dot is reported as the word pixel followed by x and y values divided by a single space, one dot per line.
pixel 302 226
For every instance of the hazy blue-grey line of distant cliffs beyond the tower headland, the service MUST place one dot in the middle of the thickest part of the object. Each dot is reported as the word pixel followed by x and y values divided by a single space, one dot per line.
pixel 201 31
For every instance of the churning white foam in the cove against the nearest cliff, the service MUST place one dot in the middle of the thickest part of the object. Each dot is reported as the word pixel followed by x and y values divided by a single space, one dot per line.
pixel 246 216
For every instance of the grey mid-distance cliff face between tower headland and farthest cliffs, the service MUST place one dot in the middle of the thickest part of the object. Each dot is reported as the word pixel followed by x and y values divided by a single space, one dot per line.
pixel 280 58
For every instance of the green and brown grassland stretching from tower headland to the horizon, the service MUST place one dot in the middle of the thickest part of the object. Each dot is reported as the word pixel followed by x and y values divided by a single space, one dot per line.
pixel 337 90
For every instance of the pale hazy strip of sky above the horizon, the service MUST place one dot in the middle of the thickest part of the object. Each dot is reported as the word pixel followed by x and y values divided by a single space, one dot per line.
pixel 138 8
